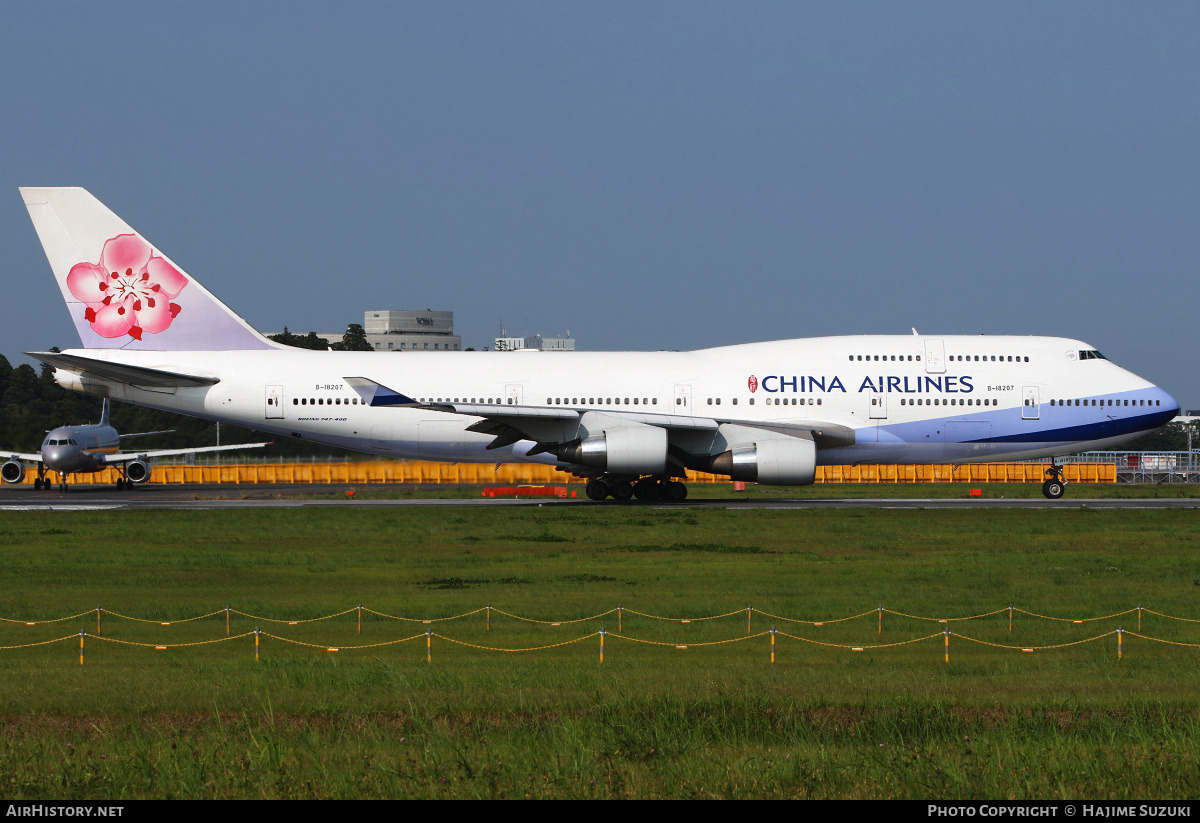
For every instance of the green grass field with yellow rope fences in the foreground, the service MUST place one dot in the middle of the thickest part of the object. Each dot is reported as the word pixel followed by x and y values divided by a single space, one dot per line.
pixel 652 720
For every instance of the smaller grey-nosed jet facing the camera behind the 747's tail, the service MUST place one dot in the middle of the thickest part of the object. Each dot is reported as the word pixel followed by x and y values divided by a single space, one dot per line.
pixel 95 448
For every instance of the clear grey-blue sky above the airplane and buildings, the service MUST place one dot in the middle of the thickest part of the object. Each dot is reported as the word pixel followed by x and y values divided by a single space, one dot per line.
pixel 649 176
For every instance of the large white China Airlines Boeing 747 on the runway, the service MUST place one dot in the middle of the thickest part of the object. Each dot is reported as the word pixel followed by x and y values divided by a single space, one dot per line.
pixel 631 423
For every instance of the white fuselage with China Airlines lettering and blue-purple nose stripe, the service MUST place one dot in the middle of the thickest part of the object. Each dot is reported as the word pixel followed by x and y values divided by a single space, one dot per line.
pixel 909 399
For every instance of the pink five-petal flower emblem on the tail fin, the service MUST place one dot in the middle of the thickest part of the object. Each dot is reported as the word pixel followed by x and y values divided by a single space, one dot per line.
pixel 130 291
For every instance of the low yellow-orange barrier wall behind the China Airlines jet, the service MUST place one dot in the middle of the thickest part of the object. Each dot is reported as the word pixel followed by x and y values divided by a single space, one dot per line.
pixel 421 472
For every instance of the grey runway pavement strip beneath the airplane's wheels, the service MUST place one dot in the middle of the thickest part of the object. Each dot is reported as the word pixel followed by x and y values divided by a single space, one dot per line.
pixel 290 496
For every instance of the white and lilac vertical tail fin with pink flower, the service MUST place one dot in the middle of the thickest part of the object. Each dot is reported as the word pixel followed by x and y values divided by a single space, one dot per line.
pixel 122 292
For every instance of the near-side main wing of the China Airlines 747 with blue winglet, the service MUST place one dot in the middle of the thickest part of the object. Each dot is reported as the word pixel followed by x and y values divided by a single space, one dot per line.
pixel 511 422
